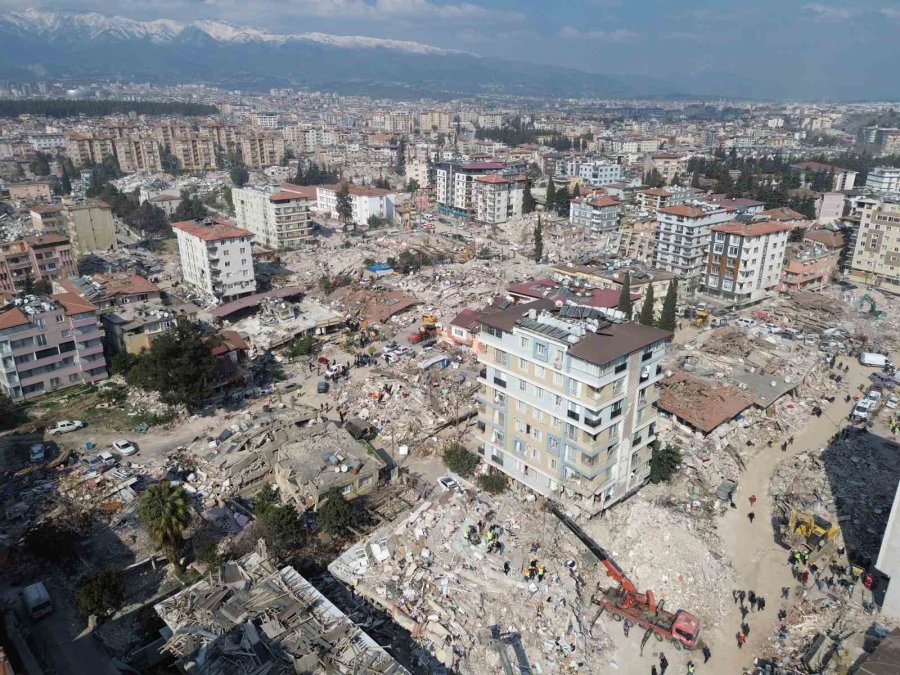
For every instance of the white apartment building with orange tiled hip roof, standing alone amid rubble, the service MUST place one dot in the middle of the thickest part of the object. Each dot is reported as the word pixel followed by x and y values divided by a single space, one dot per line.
pixel 216 258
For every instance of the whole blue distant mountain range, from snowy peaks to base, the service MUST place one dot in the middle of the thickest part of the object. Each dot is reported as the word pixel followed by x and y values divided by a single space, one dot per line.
pixel 79 46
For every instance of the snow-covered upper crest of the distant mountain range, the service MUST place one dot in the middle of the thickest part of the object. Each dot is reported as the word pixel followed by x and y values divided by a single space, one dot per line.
pixel 73 26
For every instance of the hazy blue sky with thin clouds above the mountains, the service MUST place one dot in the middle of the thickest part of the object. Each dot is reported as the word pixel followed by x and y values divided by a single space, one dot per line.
pixel 780 48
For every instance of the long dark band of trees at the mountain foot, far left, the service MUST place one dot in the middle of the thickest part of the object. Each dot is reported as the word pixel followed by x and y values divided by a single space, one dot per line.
pixel 64 108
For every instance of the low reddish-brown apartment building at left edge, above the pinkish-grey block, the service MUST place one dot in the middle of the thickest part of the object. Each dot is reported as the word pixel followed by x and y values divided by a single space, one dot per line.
pixel 23 262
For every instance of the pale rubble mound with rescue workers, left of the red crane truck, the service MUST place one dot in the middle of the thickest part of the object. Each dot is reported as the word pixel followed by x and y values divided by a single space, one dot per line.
pixel 432 572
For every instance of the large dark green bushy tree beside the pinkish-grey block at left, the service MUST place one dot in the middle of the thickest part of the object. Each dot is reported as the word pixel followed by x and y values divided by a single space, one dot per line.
pixel 179 365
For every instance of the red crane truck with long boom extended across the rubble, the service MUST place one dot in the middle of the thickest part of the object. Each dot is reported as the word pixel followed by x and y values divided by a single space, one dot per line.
pixel 624 601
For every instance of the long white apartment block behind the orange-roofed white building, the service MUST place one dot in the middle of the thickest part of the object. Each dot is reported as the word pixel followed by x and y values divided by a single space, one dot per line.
pixel 278 221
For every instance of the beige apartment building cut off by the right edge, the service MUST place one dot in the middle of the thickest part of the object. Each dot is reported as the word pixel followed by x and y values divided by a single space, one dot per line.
pixel 876 255
